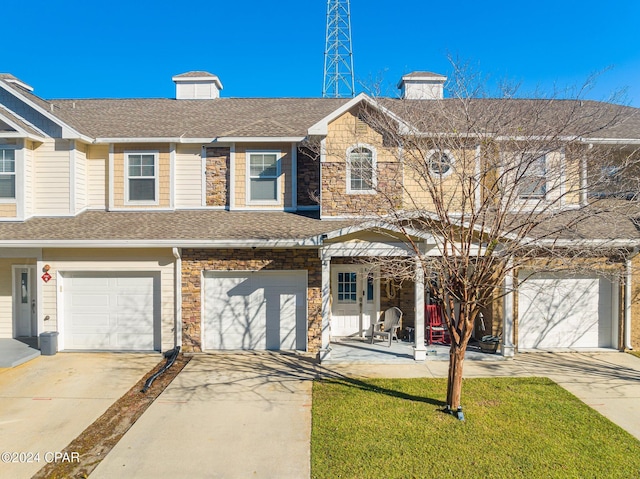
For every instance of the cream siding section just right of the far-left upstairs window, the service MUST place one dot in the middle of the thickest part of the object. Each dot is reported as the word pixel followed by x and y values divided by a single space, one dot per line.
pixel 52 178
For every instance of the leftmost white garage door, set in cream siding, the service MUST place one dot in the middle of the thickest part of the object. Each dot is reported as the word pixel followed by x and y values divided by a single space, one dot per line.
pixel 110 311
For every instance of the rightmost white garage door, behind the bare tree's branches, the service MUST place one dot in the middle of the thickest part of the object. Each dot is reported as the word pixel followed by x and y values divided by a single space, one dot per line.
pixel 562 311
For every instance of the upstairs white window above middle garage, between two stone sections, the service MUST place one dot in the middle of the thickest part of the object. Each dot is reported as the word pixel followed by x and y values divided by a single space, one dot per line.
pixel 263 173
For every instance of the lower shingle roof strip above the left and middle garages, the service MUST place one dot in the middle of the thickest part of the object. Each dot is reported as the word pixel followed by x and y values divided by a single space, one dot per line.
pixel 177 227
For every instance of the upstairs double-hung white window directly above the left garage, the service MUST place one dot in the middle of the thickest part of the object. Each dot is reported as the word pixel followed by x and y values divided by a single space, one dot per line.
pixel 141 177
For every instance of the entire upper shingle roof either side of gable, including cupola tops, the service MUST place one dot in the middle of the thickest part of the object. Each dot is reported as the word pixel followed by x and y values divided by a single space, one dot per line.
pixel 277 117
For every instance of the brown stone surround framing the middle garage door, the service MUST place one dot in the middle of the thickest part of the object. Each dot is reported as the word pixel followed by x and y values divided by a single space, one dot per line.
pixel 195 261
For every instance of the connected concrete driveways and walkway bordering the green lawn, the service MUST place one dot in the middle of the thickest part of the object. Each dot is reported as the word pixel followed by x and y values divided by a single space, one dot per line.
pixel 248 414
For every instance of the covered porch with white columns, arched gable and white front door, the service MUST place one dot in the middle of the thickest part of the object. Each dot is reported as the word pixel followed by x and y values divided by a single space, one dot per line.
pixel 355 294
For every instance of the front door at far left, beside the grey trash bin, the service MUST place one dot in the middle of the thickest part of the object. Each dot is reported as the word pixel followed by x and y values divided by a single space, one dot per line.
pixel 24 302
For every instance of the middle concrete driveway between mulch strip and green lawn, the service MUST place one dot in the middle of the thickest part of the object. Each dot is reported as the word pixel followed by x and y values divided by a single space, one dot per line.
pixel 224 416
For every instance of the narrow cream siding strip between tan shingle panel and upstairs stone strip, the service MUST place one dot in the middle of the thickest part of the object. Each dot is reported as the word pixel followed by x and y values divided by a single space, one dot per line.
pixel 188 177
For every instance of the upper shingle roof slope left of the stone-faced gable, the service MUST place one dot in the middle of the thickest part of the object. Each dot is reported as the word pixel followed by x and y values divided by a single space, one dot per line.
pixel 167 118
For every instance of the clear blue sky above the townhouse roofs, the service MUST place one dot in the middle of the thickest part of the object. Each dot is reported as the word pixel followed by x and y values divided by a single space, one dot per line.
pixel 259 48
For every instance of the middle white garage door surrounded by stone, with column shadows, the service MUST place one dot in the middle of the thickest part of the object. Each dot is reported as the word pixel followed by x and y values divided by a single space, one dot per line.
pixel 255 310
